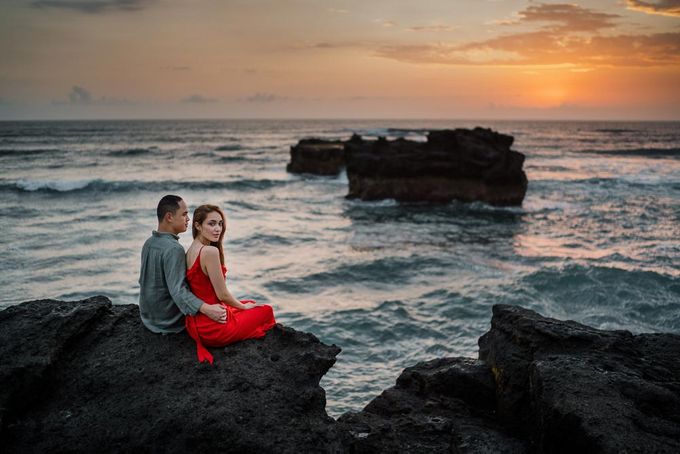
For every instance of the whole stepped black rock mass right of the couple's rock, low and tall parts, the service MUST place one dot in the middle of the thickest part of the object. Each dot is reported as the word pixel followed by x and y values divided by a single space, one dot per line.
pixel 558 386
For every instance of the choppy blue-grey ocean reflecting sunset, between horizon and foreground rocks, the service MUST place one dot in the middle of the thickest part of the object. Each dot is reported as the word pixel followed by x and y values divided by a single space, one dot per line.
pixel 597 239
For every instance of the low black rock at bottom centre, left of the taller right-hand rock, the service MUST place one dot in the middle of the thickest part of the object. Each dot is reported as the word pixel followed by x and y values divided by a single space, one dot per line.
pixel 440 406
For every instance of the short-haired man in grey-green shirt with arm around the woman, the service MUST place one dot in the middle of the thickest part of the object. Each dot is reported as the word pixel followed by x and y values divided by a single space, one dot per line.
pixel 164 297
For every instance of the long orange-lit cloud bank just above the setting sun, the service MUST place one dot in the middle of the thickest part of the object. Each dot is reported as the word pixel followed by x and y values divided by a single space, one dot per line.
pixel 570 38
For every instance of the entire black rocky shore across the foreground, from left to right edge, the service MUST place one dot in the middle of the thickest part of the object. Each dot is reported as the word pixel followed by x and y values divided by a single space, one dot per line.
pixel 86 376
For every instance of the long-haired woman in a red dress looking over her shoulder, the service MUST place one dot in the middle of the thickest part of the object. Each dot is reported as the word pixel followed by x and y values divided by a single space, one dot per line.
pixel 206 277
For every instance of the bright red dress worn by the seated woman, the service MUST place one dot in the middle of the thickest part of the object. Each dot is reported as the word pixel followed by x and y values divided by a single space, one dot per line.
pixel 241 323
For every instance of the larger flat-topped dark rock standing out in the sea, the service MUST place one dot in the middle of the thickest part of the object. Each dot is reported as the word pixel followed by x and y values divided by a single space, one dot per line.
pixel 460 164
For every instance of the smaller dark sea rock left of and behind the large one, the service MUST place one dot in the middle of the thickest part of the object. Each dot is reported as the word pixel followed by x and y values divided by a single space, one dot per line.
pixel 317 156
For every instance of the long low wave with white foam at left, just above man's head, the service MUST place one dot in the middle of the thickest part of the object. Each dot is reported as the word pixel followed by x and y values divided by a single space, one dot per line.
pixel 99 185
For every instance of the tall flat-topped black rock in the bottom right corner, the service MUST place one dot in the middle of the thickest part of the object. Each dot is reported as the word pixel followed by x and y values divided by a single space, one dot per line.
pixel 573 388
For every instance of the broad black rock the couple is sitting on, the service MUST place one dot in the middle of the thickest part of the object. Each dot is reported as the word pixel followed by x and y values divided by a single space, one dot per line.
pixel 88 377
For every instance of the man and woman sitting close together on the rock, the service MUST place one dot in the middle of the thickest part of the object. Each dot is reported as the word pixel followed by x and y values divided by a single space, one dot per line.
pixel 206 308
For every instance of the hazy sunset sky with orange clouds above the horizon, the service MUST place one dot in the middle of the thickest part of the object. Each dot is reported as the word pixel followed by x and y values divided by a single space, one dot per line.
pixel 465 59
